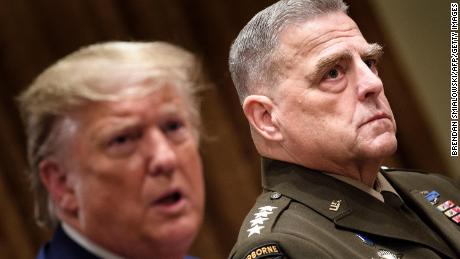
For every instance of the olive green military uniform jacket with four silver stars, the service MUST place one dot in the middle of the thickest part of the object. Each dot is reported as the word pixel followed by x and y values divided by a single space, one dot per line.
pixel 304 213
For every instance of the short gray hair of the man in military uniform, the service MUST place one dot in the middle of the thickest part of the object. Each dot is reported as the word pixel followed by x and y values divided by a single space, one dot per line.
pixel 253 63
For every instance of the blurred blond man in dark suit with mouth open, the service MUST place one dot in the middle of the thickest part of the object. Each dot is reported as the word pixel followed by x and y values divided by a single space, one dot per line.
pixel 113 134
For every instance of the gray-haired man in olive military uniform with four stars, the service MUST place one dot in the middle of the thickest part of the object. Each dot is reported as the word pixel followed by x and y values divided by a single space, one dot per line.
pixel 309 87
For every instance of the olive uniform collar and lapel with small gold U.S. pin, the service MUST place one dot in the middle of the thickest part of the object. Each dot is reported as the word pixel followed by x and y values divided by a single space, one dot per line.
pixel 347 206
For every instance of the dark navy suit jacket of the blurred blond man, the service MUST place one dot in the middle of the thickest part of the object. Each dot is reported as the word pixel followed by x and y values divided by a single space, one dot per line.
pixel 63 247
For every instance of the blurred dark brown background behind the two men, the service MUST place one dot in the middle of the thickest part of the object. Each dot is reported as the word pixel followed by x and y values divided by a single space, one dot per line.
pixel 35 33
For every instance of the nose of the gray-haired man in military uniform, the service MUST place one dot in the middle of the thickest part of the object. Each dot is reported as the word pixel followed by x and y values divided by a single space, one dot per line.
pixel 369 83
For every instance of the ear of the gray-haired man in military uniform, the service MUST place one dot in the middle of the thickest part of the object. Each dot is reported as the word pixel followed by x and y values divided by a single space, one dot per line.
pixel 258 110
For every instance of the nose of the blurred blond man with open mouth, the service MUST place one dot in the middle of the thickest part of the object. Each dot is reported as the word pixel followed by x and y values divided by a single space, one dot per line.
pixel 161 154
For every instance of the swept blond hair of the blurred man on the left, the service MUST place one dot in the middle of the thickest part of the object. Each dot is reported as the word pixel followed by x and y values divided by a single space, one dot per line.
pixel 101 72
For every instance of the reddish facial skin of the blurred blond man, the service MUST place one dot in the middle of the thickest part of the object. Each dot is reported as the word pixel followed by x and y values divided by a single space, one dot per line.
pixel 133 176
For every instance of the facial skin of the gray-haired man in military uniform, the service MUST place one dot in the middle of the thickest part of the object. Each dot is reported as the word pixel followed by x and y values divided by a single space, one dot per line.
pixel 330 108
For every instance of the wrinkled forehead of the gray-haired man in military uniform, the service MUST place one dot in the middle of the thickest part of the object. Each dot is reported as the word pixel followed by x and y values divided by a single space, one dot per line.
pixel 322 31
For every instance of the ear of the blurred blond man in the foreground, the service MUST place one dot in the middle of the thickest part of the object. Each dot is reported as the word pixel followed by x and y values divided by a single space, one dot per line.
pixel 59 186
